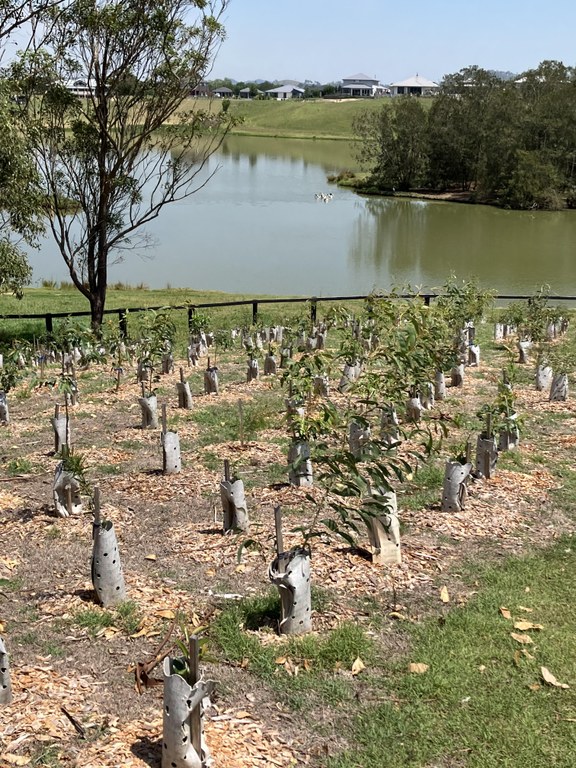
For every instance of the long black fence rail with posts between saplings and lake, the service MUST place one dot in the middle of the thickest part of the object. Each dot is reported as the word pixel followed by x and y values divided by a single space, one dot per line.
pixel 313 301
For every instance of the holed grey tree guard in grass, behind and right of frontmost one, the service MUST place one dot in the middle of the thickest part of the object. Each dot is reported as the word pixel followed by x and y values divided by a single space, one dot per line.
pixel 290 573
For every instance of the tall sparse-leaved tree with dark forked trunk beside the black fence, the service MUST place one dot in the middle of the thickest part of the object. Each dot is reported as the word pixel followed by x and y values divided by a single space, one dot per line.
pixel 111 160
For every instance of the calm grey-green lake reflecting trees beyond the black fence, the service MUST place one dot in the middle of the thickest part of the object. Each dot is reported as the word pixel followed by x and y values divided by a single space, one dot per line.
pixel 257 227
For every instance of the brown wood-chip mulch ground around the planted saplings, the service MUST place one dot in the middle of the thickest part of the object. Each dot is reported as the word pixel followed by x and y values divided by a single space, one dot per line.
pixel 176 560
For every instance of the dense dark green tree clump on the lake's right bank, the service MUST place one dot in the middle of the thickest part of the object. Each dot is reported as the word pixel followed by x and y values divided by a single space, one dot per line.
pixel 508 142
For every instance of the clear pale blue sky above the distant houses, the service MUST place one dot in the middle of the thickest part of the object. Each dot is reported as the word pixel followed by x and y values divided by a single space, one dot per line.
pixel 327 40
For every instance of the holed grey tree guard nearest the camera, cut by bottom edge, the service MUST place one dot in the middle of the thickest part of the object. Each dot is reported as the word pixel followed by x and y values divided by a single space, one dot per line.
pixel 180 700
